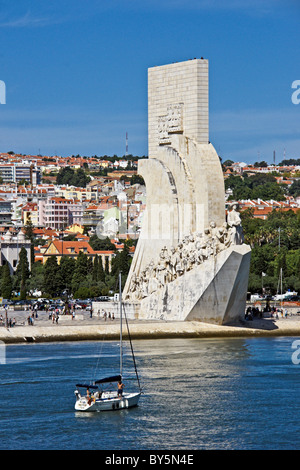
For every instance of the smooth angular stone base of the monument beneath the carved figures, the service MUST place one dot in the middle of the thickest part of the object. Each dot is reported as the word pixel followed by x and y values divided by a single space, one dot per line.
pixel 213 292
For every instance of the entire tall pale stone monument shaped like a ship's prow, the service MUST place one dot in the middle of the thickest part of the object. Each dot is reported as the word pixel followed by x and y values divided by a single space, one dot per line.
pixel 190 262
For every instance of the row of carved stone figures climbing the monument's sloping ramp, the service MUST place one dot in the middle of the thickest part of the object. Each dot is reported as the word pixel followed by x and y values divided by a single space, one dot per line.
pixel 192 251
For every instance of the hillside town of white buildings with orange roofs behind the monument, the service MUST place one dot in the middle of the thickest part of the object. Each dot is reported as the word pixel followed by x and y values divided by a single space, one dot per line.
pixel 58 206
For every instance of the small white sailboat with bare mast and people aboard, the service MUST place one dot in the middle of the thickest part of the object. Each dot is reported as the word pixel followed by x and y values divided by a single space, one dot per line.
pixel 98 398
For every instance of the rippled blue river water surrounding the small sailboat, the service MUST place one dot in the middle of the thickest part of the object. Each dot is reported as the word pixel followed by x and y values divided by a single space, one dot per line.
pixel 198 394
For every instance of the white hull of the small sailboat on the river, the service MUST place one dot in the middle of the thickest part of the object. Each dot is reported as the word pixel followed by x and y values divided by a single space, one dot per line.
pixel 108 402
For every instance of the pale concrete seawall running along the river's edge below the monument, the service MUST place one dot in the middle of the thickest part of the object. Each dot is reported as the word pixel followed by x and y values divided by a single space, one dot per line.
pixel 147 330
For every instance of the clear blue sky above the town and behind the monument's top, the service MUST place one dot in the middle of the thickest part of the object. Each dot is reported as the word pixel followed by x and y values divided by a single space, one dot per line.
pixel 76 73
